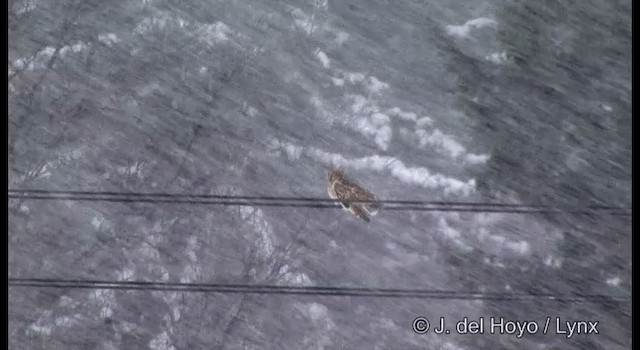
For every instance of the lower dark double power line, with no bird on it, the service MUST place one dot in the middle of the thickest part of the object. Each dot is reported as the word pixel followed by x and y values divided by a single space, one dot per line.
pixel 303 290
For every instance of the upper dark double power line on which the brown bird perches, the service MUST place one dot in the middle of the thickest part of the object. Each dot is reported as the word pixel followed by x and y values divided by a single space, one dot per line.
pixel 307 202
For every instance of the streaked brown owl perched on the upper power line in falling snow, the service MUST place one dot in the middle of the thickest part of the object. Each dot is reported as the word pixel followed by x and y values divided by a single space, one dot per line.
pixel 342 188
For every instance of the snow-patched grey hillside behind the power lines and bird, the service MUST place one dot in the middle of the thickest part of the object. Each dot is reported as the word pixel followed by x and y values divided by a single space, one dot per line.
pixel 482 101
